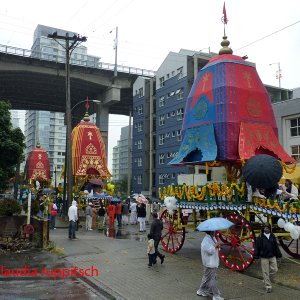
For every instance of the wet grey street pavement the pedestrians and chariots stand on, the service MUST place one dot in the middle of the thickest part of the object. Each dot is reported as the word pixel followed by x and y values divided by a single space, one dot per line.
pixel 123 271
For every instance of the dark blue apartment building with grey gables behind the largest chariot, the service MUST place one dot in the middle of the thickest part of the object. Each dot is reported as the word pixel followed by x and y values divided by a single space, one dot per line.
pixel 157 120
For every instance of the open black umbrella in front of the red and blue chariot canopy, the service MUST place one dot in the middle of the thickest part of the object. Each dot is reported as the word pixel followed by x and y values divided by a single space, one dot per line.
pixel 262 171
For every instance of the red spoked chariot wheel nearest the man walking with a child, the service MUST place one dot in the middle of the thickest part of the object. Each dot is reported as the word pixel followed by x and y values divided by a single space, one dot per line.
pixel 173 234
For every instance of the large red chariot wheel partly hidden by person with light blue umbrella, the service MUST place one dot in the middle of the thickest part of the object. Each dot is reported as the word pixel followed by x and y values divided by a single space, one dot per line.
pixel 237 244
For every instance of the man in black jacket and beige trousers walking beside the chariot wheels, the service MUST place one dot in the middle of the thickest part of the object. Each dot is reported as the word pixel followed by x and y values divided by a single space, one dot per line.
pixel 266 248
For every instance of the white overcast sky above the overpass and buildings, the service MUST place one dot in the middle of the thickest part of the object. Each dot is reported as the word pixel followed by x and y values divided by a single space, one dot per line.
pixel 149 30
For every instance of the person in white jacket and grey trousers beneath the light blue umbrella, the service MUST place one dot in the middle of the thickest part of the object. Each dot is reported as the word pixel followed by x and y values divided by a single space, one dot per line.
pixel 210 261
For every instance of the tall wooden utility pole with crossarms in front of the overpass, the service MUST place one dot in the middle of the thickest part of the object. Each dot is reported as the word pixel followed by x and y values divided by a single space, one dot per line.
pixel 75 41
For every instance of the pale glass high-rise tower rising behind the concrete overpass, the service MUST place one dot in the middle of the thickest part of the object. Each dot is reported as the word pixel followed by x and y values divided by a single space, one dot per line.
pixel 47 127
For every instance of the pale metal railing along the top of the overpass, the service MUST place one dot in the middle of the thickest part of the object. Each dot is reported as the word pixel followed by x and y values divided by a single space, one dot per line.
pixel 94 63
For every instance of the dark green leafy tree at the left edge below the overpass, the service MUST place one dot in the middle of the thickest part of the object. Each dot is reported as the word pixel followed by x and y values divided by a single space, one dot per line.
pixel 12 146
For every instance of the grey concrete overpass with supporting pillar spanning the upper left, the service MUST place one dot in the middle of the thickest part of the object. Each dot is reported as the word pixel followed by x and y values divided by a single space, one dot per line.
pixel 34 84
